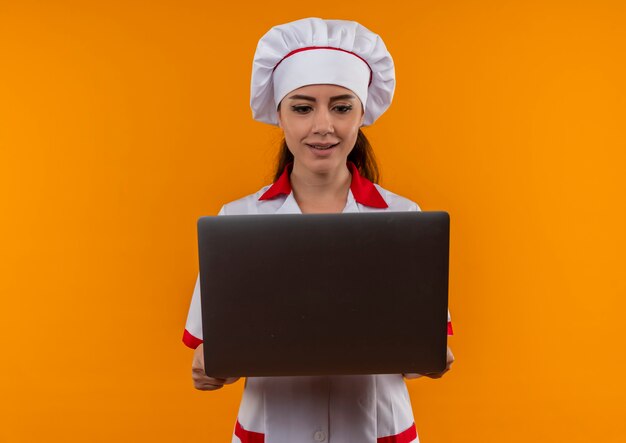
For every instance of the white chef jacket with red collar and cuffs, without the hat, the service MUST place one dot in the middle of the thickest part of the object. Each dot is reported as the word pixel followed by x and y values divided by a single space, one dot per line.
pixel 332 409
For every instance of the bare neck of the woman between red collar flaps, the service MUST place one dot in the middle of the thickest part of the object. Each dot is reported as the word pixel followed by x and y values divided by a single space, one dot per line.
pixel 320 191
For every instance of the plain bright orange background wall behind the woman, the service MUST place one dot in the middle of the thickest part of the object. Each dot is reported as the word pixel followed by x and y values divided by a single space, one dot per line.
pixel 121 122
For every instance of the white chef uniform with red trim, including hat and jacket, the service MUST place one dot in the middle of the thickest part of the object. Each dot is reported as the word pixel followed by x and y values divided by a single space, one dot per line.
pixel 334 409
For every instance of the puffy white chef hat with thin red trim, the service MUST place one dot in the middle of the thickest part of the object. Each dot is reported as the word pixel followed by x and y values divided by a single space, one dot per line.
pixel 316 51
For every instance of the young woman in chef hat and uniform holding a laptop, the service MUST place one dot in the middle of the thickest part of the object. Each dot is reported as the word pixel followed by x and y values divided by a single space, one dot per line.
pixel 320 81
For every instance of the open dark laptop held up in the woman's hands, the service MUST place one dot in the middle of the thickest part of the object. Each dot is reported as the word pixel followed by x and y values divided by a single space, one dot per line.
pixel 321 294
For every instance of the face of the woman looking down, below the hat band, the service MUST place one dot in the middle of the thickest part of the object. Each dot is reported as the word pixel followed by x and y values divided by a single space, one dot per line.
pixel 321 124
